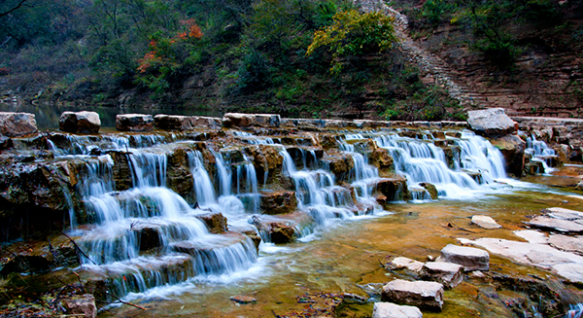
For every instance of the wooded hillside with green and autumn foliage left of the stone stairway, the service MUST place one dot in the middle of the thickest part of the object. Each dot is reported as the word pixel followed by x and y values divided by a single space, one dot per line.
pixel 250 56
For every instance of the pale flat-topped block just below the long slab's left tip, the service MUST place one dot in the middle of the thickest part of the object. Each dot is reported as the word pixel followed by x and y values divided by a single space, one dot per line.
pixel 470 258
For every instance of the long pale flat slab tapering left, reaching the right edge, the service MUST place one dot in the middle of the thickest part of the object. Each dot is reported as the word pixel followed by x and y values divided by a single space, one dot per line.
pixel 565 264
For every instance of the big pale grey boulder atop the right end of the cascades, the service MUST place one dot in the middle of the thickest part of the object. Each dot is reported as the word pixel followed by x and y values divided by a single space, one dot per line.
pixel 492 122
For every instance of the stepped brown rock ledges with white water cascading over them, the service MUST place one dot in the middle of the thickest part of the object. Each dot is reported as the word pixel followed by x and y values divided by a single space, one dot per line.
pixel 149 210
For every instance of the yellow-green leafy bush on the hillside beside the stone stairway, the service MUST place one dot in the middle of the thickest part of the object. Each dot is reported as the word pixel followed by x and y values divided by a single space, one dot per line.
pixel 354 34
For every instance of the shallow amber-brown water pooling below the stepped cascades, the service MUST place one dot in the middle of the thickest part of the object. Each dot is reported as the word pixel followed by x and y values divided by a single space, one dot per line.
pixel 348 253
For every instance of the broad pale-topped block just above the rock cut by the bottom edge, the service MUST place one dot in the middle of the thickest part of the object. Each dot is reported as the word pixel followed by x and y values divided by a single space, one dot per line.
pixel 426 295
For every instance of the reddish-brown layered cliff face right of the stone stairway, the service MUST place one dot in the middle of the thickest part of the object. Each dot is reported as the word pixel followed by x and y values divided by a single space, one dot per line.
pixel 545 77
